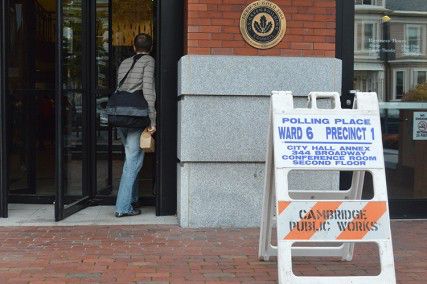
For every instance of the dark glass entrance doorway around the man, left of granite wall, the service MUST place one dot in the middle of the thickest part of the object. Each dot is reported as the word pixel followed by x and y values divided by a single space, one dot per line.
pixel 59 146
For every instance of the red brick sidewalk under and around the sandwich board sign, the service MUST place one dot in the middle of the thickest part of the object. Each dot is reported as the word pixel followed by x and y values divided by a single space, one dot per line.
pixel 169 254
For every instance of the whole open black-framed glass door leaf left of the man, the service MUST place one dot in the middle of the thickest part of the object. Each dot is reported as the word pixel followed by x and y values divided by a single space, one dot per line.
pixel 72 107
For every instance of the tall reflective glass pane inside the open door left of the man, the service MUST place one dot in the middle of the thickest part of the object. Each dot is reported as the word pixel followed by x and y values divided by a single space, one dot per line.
pixel 72 100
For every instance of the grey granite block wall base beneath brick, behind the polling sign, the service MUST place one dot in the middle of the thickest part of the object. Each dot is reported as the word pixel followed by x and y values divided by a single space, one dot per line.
pixel 222 131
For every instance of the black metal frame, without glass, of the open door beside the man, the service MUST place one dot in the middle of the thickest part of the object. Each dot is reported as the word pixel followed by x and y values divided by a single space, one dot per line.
pixel 61 211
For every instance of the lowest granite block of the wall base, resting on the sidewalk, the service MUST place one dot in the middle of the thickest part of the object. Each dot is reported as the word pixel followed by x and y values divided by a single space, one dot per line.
pixel 218 195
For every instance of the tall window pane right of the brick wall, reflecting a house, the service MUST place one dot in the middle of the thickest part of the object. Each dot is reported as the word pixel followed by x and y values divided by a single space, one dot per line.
pixel 391 59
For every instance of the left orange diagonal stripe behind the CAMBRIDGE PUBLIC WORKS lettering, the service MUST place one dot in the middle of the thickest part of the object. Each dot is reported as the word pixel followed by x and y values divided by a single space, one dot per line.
pixel 295 234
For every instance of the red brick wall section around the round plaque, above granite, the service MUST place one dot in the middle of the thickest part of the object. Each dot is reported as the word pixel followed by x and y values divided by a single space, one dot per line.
pixel 213 28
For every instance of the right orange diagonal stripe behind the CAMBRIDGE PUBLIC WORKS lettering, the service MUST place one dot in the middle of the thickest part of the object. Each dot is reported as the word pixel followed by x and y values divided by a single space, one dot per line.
pixel 374 211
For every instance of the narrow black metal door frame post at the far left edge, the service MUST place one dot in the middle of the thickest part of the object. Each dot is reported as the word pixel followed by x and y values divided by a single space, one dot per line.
pixel 3 124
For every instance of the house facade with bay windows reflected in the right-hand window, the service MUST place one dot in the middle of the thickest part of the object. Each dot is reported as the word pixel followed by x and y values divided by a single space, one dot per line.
pixel 390 53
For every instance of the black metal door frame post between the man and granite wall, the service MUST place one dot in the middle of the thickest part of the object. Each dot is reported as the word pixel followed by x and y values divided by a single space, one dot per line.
pixel 170 31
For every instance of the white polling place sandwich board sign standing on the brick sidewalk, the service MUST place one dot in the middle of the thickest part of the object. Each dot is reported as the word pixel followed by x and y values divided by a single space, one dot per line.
pixel 314 139
